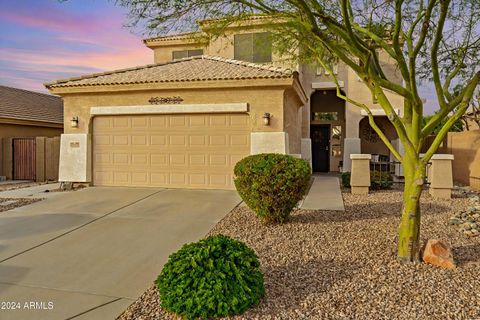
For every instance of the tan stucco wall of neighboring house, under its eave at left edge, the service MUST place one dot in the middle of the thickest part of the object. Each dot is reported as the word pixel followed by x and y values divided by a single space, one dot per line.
pixel 8 130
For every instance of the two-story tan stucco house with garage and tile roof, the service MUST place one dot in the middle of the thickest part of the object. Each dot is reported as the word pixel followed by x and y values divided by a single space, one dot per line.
pixel 185 120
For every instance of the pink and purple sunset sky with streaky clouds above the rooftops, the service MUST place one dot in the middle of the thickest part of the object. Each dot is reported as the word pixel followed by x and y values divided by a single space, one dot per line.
pixel 46 40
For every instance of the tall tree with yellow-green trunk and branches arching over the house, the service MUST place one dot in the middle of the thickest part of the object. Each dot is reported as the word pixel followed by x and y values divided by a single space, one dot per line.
pixel 435 40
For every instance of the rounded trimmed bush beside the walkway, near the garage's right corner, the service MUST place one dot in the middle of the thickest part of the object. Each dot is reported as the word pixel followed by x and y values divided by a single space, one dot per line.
pixel 272 184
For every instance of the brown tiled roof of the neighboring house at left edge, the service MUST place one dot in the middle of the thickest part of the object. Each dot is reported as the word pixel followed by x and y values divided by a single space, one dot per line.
pixel 29 105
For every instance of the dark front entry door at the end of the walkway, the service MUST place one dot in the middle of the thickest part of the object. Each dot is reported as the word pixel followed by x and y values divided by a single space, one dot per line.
pixel 320 135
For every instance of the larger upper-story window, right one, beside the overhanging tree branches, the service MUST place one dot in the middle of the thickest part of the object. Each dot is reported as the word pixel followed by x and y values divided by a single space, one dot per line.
pixel 253 47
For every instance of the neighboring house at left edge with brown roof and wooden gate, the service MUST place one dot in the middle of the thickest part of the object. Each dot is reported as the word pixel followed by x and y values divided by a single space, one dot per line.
pixel 24 116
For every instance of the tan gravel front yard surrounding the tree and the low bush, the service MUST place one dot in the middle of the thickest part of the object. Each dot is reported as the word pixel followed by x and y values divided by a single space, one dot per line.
pixel 342 265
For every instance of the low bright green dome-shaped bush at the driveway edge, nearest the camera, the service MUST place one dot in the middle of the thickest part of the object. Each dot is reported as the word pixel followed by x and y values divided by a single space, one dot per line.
pixel 215 277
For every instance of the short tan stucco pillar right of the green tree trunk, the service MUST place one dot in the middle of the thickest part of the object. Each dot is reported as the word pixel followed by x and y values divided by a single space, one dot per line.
pixel 440 176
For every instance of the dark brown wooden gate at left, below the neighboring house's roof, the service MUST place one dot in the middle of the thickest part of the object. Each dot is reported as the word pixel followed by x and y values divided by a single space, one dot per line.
pixel 24 159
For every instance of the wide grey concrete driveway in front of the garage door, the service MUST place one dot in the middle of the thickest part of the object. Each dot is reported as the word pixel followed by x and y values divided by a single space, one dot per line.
pixel 88 254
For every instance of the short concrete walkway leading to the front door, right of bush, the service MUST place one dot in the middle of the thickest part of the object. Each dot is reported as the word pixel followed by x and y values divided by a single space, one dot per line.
pixel 324 194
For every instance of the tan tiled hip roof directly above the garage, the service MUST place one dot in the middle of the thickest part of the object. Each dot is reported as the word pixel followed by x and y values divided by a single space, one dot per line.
pixel 201 68
